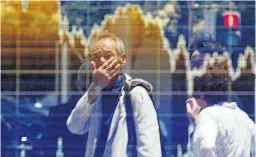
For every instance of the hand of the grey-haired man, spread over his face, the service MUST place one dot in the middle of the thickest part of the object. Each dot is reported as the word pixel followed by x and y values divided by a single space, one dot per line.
pixel 106 72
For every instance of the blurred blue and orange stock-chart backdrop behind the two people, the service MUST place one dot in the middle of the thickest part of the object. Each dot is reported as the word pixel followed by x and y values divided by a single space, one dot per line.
pixel 43 44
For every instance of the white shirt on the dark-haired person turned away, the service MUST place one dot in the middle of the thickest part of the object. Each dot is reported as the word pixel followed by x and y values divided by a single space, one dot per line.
pixel 224 131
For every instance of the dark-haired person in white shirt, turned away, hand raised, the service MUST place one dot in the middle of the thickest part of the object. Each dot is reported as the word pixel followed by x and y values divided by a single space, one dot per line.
pixel 222 128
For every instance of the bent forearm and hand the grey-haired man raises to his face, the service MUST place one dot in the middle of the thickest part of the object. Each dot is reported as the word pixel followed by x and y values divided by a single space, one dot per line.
pixel 79 119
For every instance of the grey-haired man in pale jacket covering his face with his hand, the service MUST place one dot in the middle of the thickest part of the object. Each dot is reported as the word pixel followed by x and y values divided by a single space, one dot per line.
pixel 101 110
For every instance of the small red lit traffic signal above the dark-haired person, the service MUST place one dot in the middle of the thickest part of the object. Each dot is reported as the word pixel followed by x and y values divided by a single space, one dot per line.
pixel 231 19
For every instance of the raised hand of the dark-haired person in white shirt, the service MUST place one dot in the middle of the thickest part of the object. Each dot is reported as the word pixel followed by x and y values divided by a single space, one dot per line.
pixel 193 110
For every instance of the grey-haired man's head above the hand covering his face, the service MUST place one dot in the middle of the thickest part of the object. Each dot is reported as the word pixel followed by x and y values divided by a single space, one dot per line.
pixel 103 50
